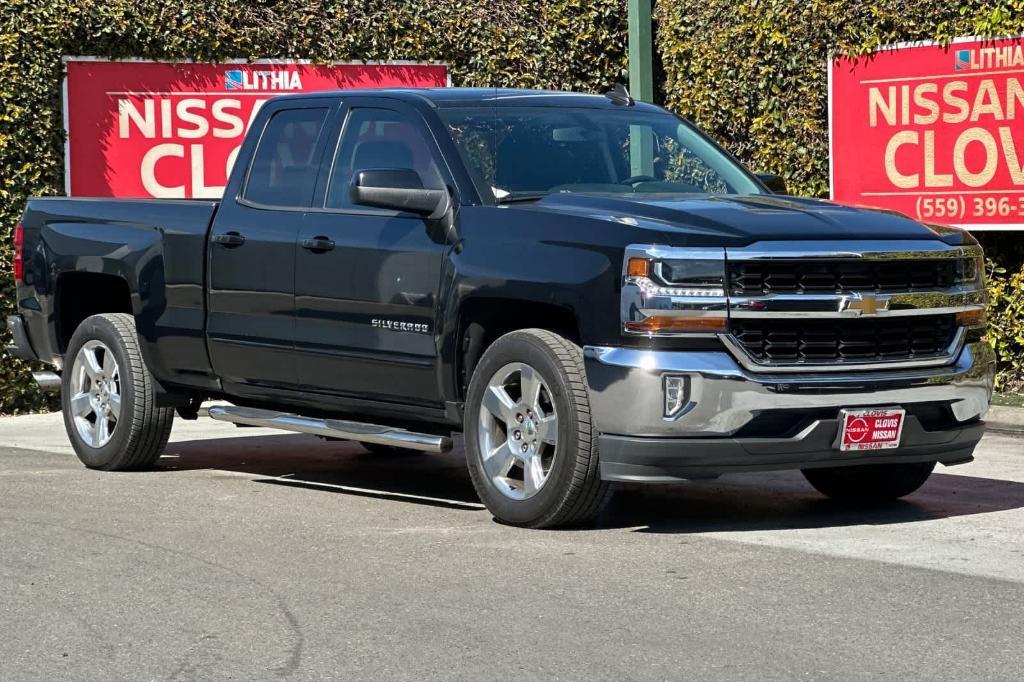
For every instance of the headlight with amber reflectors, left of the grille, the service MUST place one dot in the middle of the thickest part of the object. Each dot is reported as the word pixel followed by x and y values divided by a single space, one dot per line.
pixel 674 291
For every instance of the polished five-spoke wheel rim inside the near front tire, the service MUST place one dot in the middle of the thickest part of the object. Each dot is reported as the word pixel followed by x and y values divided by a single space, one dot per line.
pixel 519 435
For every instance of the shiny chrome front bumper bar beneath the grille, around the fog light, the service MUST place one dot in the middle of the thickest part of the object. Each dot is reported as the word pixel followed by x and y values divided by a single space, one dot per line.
pixel 627 397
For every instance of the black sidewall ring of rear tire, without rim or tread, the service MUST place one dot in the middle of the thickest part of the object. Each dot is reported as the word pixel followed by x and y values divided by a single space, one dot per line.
pixel 100 329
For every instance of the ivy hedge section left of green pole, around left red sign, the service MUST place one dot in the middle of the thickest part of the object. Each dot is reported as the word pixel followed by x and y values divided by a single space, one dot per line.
pixel 562 45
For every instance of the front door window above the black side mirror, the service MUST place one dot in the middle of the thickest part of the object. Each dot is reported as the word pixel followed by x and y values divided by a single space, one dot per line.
pixel 379 139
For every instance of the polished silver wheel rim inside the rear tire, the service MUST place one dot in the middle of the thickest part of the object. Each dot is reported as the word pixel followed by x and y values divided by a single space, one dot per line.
pixel 96 390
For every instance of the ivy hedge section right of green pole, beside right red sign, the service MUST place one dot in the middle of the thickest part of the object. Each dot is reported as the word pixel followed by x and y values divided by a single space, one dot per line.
pixel 754 74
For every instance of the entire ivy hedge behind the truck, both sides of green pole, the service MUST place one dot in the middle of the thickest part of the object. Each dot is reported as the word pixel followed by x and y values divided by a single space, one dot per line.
pixel 751 73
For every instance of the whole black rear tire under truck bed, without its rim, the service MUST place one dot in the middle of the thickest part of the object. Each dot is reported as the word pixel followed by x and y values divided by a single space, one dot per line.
pixel 140 435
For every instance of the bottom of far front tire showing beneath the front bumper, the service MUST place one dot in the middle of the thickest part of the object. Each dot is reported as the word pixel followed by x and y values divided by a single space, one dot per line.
pixel 870 483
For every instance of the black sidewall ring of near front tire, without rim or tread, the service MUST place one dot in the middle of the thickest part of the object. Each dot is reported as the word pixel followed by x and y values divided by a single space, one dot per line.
pixel 522 348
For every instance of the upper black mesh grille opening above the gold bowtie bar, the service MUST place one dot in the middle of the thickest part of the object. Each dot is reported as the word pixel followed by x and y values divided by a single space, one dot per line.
pixel 762 278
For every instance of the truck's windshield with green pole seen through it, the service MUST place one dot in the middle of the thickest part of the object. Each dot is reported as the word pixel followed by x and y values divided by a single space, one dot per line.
pixel 526 153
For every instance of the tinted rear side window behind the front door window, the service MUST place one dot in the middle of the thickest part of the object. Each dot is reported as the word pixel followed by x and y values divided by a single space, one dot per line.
pixel 284 169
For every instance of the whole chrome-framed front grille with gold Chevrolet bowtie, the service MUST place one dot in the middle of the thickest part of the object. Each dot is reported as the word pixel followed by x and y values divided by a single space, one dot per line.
pixel 820 307
